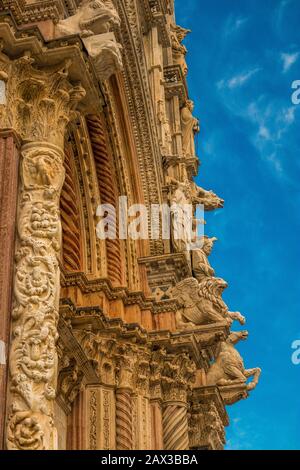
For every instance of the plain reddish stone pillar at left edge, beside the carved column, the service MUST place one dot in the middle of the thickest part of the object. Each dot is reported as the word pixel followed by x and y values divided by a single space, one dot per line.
pixel 9 159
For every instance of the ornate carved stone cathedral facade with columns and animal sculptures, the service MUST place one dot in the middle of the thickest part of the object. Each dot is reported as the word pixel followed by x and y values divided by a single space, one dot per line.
pixel 106 342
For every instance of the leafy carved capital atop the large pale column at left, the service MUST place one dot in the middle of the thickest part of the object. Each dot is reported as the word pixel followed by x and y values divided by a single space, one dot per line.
pixel 39 102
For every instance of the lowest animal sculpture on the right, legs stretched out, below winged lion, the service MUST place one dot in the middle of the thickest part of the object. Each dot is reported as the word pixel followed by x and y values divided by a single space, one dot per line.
pixel 229 367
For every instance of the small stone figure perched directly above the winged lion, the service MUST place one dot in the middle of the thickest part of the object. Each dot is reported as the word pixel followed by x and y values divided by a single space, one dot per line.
pixel 200 265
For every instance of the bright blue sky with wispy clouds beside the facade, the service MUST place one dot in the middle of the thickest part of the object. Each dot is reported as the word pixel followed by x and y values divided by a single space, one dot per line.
pixel 243 57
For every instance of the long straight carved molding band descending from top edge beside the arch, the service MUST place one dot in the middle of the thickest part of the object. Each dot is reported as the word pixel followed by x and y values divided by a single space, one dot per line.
pixel 140 108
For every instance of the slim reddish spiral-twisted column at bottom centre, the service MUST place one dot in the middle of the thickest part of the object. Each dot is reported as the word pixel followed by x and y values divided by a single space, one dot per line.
pixel 124 404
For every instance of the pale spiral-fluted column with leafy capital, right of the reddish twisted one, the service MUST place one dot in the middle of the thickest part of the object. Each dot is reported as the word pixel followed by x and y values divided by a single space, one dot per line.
pixel 178 374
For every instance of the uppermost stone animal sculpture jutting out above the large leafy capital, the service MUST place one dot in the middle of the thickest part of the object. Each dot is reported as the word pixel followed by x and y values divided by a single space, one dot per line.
pixel 92 17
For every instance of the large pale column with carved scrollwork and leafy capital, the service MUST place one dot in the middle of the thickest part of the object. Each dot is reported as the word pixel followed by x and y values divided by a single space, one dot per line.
pixel 40 104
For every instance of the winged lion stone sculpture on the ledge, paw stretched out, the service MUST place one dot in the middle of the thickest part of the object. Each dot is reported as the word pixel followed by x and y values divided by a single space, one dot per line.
pixel 202 303
